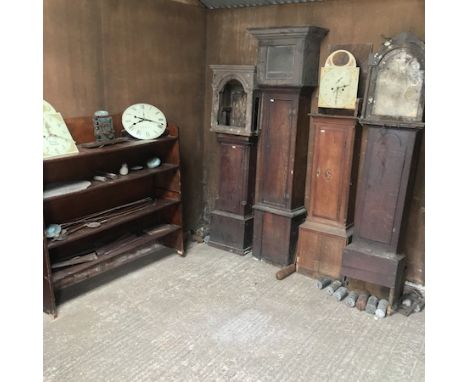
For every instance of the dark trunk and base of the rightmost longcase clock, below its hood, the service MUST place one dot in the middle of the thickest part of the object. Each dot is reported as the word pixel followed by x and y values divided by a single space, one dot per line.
pixel 383 195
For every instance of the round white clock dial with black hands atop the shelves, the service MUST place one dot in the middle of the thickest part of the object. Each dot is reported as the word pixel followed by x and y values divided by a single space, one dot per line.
pixel 144 121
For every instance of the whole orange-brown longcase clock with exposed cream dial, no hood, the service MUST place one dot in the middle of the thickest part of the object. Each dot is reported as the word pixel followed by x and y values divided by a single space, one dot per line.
pixel 331 171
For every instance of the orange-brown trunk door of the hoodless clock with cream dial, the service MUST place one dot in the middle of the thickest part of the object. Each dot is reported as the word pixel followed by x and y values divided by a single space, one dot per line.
pixel 328 172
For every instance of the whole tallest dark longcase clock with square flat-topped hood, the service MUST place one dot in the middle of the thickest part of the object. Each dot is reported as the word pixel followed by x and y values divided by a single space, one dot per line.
pixel 287 68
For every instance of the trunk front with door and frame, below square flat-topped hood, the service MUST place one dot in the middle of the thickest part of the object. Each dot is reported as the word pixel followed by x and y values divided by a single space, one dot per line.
pixel 279 117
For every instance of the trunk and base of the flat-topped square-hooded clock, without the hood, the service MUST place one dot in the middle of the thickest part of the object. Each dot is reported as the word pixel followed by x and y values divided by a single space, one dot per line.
pixel 281 171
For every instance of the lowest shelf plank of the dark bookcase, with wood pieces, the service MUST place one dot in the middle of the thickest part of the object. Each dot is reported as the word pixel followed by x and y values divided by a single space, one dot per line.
pixel 110 259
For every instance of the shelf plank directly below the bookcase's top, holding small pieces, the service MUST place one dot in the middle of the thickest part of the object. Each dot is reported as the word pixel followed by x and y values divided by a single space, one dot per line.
pixel 96 185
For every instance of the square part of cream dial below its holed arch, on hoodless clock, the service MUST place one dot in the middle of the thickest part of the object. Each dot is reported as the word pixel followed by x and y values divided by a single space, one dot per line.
pixel 338 87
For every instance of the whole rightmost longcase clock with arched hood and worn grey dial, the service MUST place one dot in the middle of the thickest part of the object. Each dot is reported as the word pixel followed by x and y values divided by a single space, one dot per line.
pixel 385 184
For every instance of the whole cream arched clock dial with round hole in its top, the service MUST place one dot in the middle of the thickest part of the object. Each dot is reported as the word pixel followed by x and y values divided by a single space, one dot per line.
pixel 339 81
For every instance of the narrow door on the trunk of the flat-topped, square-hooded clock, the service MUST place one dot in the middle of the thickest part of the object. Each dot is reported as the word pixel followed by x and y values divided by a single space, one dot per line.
pixel 276 151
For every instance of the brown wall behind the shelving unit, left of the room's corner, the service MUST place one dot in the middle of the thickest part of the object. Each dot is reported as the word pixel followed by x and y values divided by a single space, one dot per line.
pixel 109 54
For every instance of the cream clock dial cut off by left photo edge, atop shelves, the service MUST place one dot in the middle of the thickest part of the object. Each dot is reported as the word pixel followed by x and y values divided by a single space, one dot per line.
pixel 57 140
